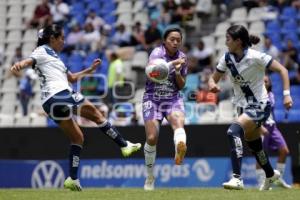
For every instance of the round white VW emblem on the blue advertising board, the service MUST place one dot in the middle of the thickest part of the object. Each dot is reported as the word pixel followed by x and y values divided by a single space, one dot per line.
pixel 47 174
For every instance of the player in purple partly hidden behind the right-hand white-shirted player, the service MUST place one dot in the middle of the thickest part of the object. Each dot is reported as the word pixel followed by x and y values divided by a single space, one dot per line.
pixel 273 141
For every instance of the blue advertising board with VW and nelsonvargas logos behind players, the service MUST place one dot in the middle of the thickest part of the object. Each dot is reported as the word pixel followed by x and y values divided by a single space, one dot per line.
pixel 195 172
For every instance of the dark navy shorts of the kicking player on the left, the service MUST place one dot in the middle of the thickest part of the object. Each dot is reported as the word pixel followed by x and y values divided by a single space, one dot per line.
pixel 60 106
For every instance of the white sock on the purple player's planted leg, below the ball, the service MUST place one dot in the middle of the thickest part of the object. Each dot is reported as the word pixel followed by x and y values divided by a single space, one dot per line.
pixel 150 156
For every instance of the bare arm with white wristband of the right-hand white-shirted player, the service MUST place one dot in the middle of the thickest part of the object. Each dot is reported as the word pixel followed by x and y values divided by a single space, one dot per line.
pixel 277 67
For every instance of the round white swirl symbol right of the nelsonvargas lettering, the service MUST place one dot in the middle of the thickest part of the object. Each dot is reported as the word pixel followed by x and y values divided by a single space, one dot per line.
pixel 203 170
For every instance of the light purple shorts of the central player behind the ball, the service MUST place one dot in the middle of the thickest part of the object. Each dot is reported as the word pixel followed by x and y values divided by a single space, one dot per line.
pixel 158 109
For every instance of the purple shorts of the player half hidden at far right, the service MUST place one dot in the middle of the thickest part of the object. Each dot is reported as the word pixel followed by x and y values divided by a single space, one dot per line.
pixel 274 140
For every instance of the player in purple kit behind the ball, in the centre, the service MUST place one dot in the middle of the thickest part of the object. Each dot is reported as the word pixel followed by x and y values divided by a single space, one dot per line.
pixel 163 101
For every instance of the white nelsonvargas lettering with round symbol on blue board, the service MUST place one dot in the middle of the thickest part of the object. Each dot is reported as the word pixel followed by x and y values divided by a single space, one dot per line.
pixel 164 172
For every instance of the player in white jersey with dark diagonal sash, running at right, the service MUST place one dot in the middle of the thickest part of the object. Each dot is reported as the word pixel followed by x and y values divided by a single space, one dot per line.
pixel 246 69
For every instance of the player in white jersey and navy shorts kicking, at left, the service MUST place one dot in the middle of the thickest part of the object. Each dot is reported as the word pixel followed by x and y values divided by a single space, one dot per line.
pixel 60 101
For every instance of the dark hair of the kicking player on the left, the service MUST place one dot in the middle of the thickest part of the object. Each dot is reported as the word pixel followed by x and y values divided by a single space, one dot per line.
pixel 45 34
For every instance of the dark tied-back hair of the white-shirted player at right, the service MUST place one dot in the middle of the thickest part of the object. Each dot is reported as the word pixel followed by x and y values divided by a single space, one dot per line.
pixel 240 32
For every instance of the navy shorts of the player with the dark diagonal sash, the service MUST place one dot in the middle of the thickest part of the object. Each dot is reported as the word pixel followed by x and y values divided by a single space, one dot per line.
pixel 258 112
